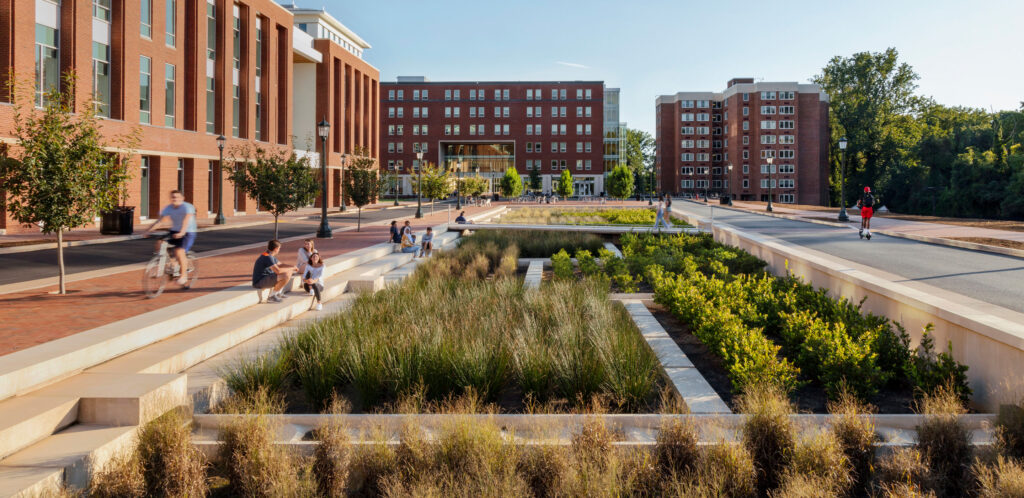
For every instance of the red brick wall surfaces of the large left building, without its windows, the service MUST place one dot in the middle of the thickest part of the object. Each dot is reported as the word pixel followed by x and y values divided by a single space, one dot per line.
pixel 186 142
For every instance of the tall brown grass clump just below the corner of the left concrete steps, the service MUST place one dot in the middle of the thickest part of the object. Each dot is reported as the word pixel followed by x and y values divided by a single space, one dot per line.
pixel 172 466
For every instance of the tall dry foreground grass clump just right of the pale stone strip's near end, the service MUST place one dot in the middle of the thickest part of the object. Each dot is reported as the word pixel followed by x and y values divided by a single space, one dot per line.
pixel 769 434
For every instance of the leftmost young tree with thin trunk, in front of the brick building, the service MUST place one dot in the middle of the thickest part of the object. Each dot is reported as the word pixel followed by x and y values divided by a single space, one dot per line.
pixel 61 177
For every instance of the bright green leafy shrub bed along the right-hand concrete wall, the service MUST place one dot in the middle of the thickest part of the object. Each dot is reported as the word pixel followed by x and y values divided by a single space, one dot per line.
pixel 832 342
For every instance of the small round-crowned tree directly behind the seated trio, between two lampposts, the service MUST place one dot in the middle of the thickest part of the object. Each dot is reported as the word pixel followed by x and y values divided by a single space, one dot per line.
pixel 280 182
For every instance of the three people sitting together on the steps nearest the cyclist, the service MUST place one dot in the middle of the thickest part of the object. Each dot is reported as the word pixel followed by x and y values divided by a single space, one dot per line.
pixel 270 273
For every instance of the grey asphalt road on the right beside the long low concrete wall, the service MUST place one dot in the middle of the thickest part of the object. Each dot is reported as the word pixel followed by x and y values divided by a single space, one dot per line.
pixel 992 278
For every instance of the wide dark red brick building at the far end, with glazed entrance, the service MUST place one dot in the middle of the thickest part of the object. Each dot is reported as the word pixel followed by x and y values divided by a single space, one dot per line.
pixel 487 128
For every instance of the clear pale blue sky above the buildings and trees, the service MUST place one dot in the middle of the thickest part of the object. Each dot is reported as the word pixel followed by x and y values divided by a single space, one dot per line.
pixel 967 54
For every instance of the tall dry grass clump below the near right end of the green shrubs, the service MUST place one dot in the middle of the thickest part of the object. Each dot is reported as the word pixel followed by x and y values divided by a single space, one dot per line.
pixel 946 442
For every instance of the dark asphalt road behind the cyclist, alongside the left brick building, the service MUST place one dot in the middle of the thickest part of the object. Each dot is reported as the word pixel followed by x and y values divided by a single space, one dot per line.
pixel 22 267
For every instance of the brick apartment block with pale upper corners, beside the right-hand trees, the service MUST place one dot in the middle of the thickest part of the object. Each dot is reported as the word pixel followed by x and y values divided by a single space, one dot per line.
pixel 701 135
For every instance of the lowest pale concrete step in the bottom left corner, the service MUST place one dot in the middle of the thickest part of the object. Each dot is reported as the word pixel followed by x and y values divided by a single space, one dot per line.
pixel 77 452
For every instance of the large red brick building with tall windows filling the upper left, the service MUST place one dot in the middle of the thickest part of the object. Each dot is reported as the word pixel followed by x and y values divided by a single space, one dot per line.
pixel 185 72
